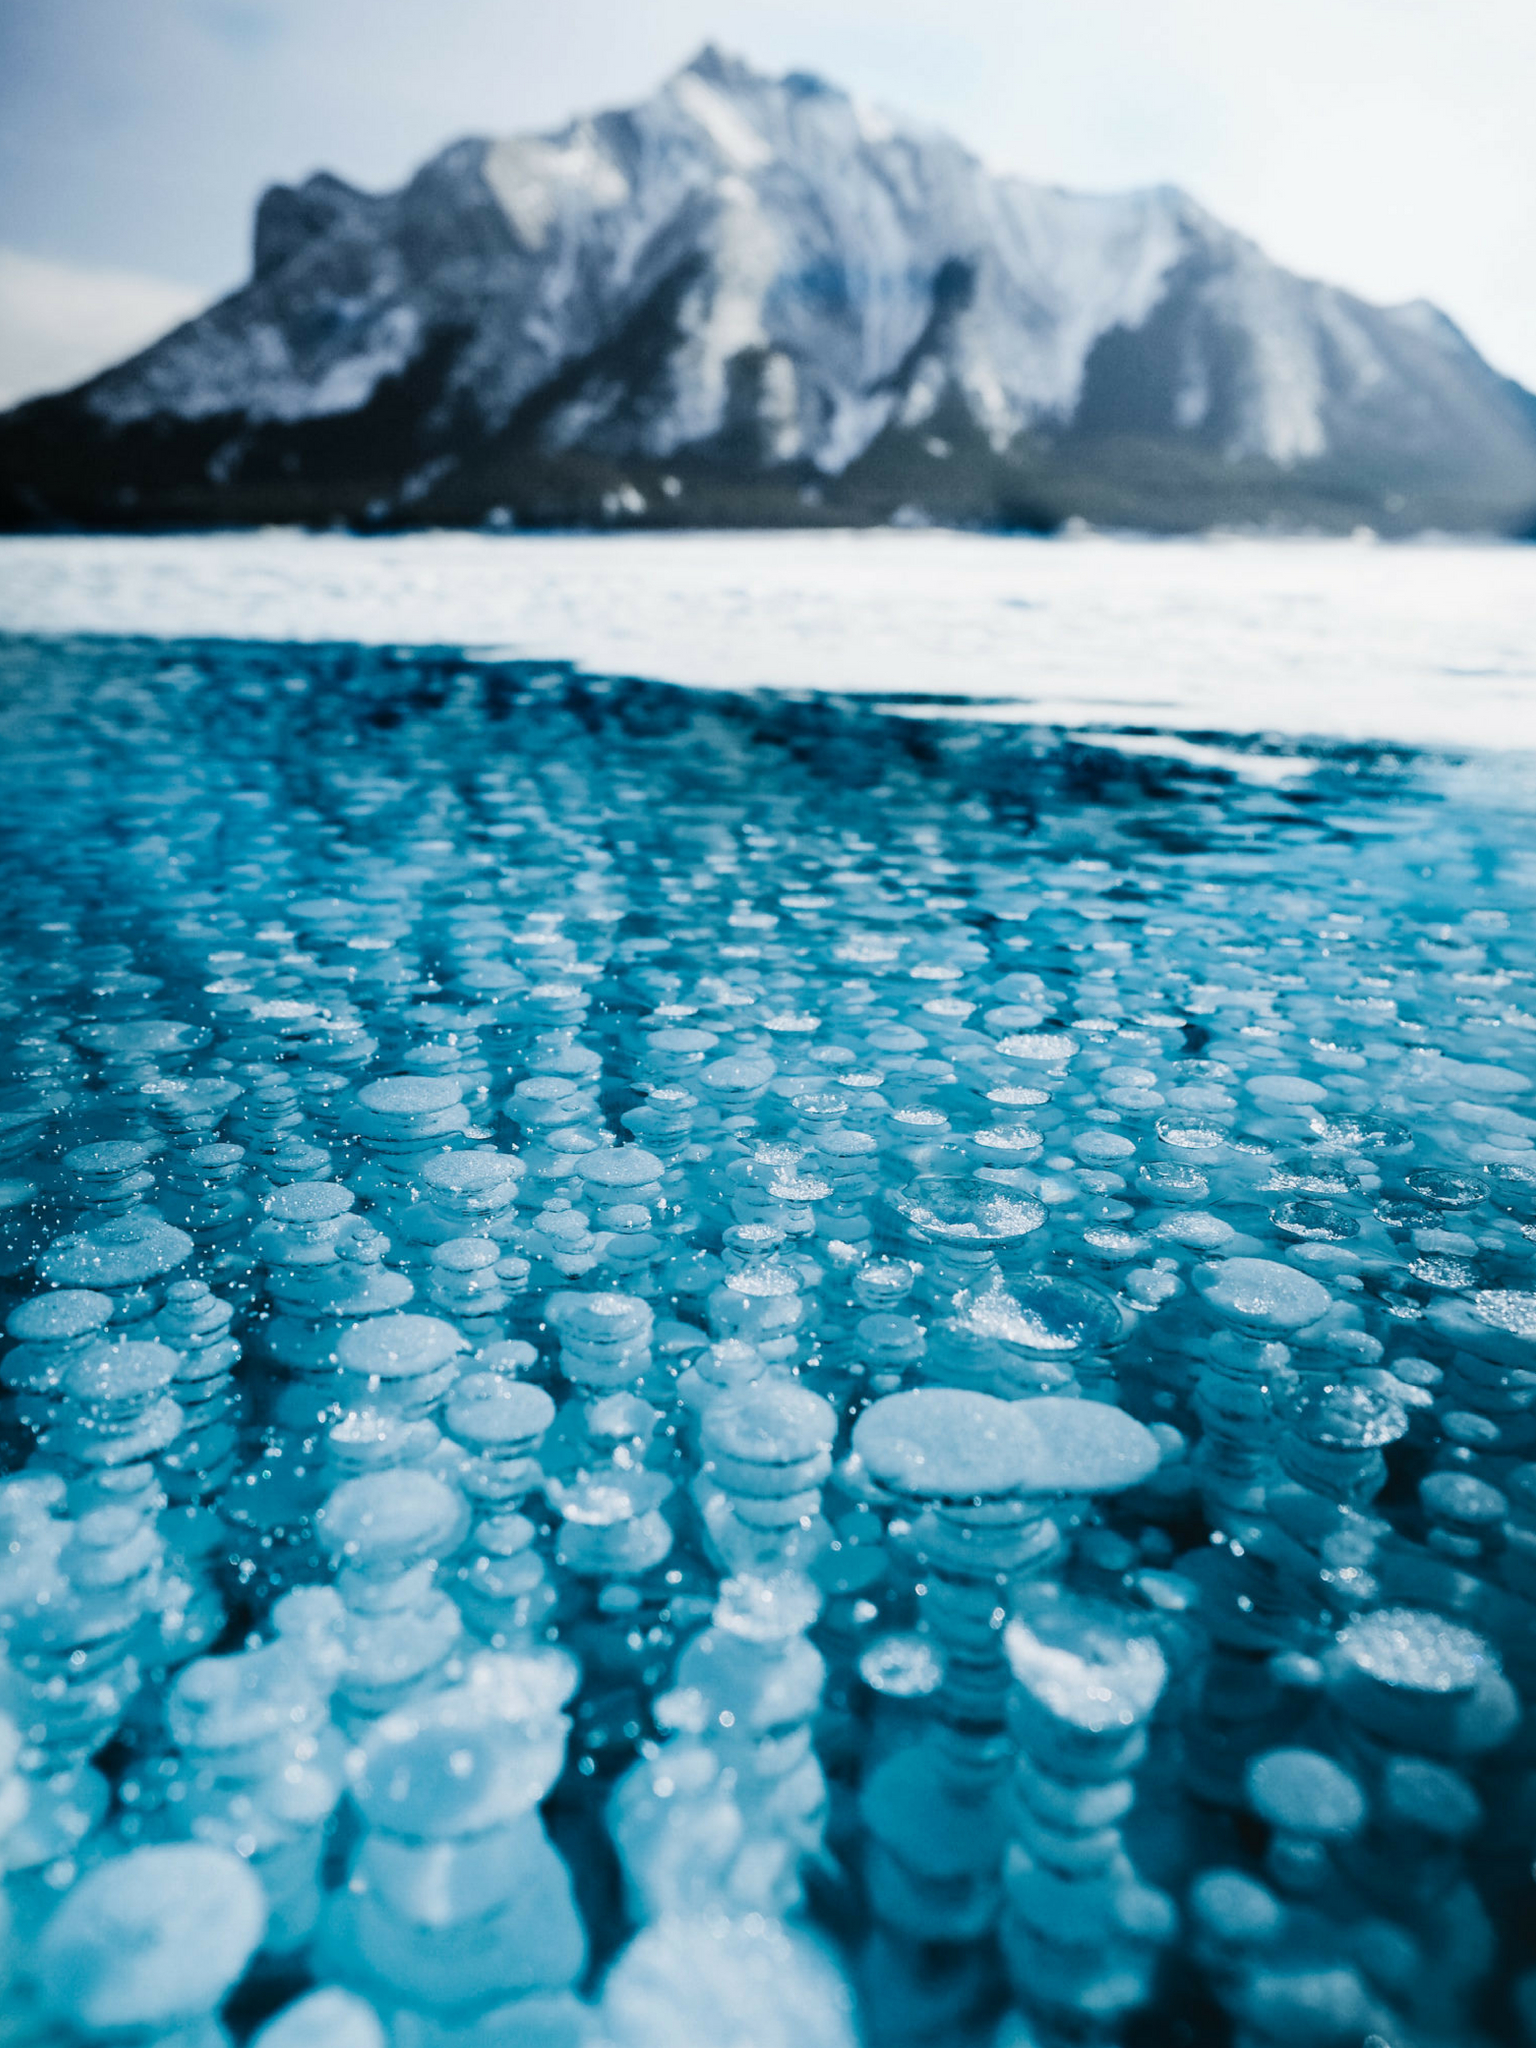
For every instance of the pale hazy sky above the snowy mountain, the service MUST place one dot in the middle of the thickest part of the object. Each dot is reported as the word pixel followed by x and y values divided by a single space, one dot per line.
pixel 1379 144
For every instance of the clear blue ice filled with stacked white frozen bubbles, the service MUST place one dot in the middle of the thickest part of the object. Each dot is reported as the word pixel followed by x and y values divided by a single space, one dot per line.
pixel 812 1396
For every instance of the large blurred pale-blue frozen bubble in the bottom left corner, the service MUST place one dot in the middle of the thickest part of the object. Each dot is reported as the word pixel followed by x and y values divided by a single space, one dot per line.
pixel 153 1938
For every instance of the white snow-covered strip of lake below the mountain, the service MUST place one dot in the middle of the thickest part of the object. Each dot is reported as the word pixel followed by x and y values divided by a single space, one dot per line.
pixel 1332 640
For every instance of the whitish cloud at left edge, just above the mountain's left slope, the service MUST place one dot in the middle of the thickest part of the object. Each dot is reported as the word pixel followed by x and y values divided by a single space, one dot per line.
pixel 62 323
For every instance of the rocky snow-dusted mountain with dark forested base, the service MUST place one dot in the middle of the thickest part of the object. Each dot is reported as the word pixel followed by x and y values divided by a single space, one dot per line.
pixel 755 300
